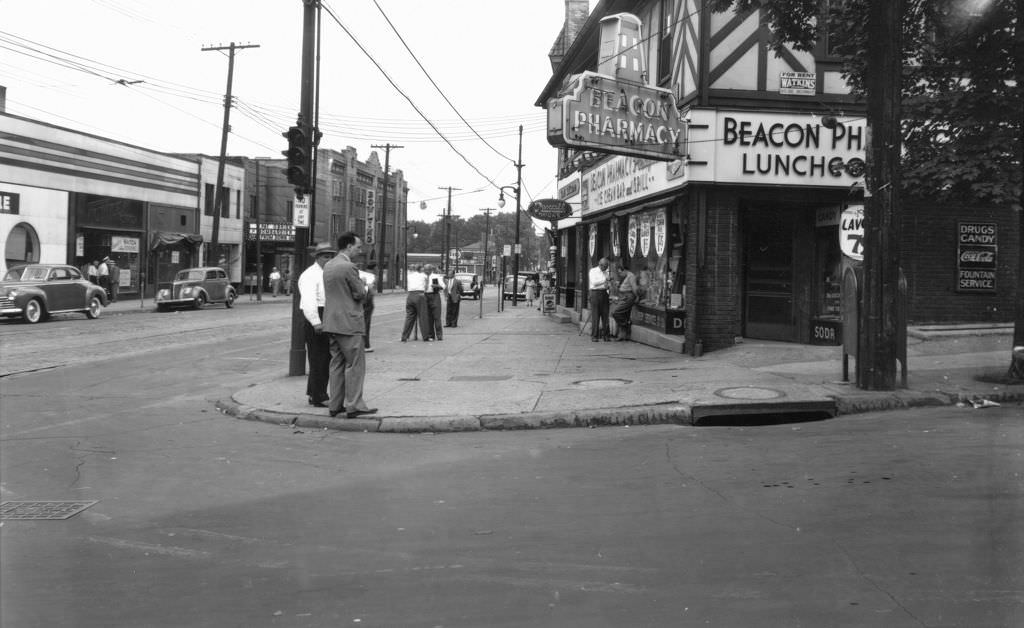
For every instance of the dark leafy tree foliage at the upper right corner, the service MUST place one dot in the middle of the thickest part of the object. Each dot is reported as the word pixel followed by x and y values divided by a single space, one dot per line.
pixel 962 107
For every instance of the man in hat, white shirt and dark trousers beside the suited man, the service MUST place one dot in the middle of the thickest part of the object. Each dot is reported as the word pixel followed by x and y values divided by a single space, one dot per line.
pixel 312 300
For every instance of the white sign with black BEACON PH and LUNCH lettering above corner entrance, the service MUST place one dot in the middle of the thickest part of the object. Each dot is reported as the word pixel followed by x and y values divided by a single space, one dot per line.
pixel 775 149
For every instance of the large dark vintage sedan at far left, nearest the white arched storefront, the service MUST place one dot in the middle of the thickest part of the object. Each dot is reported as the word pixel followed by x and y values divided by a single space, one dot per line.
pixel 36 291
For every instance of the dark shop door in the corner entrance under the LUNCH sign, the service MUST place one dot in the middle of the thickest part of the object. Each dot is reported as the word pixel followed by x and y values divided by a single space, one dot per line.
pixel 769 275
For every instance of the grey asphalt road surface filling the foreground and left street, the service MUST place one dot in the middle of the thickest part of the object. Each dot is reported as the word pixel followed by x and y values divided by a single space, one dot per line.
pixel 907 519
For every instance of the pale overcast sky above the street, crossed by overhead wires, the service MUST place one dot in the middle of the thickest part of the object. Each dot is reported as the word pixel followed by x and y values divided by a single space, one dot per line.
pixel 136 71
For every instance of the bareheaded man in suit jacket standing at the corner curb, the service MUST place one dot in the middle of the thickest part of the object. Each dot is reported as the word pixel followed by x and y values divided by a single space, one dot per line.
pixel 345 321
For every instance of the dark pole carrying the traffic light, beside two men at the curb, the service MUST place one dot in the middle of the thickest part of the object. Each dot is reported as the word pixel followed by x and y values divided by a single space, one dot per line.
pixel 300 174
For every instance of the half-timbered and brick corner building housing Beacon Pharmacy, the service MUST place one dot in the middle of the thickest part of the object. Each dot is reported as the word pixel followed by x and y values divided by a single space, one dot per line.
pixel 741 220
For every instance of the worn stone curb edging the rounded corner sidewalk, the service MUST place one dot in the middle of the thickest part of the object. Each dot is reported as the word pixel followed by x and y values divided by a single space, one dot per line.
pixel 674 414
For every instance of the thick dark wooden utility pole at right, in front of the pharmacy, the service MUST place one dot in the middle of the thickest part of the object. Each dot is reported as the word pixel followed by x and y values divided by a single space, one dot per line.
pixel 878 351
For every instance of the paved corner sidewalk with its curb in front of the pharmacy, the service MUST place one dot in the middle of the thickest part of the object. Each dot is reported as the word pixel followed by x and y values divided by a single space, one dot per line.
pixel 519 369
